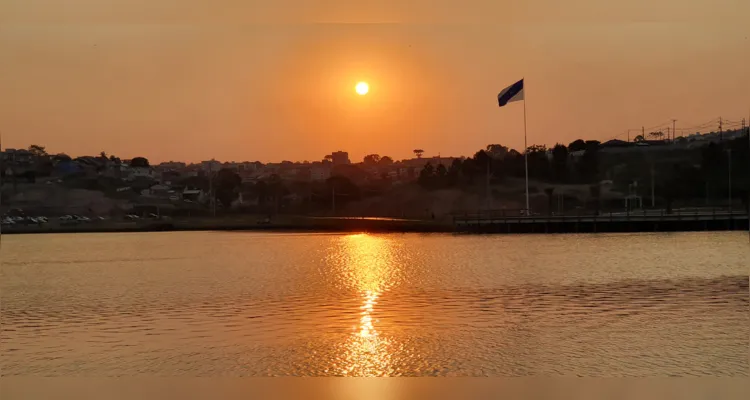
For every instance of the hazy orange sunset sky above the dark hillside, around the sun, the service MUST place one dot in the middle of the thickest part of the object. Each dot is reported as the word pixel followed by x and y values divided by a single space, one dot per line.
pixel 274 80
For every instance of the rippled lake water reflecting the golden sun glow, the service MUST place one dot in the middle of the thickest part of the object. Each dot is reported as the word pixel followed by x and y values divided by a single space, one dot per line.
pixel 258 304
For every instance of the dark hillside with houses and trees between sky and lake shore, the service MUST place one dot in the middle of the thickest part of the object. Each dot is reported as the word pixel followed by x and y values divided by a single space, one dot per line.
pixel 651 171
